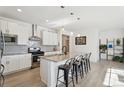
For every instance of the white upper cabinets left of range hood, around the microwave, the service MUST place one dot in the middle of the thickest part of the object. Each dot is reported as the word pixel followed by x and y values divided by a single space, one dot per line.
pixel 22 30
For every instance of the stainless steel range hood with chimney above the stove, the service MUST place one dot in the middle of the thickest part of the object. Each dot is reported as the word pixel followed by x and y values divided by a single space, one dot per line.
pixel 33 37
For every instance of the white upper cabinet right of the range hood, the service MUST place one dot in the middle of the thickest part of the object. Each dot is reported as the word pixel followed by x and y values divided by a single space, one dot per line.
pixel 49 38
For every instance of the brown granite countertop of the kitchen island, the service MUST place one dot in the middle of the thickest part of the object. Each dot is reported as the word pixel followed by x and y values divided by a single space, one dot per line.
pixel 59 57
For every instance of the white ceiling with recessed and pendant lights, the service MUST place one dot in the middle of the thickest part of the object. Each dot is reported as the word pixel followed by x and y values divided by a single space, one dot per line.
pixel 100 17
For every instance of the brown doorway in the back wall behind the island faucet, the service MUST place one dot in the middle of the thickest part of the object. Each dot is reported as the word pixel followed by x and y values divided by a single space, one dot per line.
pixel 65 44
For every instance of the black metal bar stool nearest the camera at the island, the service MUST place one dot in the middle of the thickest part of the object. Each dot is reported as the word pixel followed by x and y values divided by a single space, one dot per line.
pixel 68 66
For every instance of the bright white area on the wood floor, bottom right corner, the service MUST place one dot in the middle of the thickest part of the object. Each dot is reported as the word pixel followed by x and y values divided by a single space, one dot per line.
pixel 114 77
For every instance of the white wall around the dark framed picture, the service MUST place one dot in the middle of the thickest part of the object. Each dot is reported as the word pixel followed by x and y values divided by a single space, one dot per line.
pixel 92 41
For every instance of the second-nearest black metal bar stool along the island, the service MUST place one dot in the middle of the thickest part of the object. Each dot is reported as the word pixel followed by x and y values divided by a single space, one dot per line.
pixel 77 67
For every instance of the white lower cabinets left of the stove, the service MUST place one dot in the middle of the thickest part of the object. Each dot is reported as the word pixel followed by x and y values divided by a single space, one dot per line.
pixel 14 63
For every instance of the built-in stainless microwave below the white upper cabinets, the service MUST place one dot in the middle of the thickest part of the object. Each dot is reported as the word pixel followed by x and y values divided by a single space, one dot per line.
pixel 10 39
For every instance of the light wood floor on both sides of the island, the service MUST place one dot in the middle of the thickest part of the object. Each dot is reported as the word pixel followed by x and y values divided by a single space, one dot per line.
pixel 31 78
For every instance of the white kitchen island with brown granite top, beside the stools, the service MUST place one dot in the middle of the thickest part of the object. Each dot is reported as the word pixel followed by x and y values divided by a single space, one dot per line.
pixel 49 66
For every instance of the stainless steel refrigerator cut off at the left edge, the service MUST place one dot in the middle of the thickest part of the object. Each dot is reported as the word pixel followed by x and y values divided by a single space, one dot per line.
pixel 2 46
